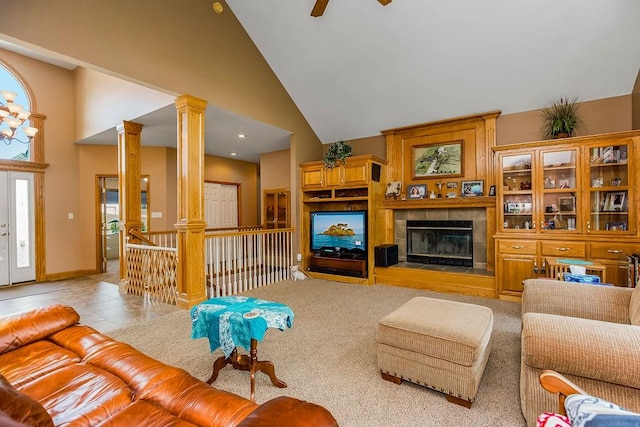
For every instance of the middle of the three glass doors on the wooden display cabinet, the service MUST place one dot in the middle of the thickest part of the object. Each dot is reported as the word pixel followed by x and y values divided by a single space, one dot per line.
pixel 560 204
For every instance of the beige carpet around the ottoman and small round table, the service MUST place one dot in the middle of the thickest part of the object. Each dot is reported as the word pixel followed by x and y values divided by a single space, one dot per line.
pixel 328 357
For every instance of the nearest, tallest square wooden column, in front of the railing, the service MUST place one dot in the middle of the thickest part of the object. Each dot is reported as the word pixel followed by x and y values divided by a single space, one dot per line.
pixel 191 224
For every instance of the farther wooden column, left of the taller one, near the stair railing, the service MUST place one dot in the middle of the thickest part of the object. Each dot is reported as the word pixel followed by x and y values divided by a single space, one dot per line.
pixel 129 169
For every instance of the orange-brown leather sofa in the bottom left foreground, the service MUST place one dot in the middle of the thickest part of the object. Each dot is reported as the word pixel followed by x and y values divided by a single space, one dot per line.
pixel 54 371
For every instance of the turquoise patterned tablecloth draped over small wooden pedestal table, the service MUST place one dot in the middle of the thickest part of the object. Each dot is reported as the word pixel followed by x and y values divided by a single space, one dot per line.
pixel 222 321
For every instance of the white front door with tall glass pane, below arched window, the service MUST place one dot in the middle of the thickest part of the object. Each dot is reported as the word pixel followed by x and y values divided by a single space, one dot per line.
pixel 17 248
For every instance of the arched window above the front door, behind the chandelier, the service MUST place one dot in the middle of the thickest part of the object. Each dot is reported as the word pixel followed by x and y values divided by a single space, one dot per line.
pixel 18 147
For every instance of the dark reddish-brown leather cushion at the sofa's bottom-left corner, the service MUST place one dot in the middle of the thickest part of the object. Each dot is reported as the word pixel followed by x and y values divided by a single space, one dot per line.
pixel 20 407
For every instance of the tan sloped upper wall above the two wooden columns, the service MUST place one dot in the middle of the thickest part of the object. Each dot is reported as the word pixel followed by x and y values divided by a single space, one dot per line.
pixel 141 41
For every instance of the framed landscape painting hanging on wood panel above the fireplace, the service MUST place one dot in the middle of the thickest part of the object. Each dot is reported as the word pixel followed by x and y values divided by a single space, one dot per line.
pixel 435 160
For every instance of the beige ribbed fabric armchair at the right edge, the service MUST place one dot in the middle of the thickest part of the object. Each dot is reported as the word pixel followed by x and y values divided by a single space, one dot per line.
pixel 588 333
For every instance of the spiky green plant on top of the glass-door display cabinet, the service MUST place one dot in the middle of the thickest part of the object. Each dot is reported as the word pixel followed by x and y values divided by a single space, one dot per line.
pixel 561 119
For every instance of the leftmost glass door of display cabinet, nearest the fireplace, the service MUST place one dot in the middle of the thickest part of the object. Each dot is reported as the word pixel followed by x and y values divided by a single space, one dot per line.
pixel 517 194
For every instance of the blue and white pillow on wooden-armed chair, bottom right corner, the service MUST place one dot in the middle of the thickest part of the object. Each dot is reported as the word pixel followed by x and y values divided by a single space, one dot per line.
pixel 590 411
